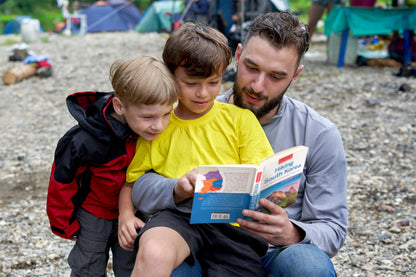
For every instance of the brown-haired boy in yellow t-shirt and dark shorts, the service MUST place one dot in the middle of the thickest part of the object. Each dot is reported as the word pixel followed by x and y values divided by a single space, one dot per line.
pixel 201 131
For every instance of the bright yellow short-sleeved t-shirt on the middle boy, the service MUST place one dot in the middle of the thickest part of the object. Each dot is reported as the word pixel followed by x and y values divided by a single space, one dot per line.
pixel 227 134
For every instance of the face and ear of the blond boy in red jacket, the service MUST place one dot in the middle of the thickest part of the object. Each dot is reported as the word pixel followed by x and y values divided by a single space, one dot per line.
pixel 147 121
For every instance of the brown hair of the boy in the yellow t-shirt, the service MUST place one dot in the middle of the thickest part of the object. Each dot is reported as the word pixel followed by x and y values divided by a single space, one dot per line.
pixel 201 50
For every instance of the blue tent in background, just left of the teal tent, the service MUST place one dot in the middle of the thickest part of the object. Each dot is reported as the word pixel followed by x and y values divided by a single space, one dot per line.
pixel 110 16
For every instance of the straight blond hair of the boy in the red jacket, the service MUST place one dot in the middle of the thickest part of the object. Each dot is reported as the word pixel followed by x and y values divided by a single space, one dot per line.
pixel 143 80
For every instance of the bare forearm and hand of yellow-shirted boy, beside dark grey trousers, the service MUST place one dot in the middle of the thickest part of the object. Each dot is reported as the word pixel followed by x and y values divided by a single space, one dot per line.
pixel 128 223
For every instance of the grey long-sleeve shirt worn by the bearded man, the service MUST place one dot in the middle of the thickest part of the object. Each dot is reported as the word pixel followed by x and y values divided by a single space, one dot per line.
pixel 321 205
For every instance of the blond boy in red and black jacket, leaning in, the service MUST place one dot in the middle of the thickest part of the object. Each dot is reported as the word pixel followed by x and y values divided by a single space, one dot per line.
pixel 91 160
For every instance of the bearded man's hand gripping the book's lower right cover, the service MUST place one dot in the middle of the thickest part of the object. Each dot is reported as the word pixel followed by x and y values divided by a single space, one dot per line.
pixel 275 228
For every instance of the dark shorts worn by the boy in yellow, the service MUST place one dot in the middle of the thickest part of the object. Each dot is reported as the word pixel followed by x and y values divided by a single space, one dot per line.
pixel 222 249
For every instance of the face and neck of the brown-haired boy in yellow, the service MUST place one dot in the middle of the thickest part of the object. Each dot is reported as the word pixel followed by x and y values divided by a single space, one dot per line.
pixel 197 95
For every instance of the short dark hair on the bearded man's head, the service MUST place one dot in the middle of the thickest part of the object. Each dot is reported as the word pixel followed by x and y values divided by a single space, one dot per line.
pixel 281 29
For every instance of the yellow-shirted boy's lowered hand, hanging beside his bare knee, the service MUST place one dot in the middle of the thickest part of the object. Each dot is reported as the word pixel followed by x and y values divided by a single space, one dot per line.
pixel 128 224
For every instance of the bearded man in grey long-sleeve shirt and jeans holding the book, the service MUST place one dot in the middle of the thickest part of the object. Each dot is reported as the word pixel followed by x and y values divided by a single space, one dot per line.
pixel 305 235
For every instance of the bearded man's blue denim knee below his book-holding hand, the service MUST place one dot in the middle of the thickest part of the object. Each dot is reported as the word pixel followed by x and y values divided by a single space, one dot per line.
pixel 300 260
